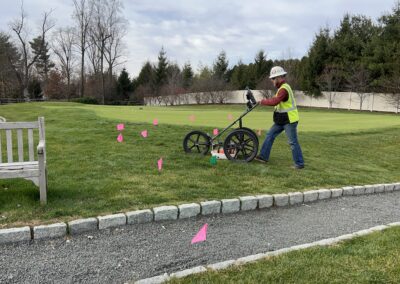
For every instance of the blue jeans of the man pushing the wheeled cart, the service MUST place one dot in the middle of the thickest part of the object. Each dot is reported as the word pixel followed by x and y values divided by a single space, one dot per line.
pixel 291 133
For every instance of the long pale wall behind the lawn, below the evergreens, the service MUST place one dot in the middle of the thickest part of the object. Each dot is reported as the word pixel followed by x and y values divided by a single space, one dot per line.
pixel 340 100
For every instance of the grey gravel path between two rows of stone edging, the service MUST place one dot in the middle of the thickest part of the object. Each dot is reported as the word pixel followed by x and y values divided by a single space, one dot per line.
pixel 136 252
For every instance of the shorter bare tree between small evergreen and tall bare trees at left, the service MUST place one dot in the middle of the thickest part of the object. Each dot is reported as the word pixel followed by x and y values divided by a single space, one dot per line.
pixel 62 47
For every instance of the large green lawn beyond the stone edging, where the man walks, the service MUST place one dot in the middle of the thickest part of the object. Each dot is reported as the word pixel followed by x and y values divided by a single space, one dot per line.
pixel 91 174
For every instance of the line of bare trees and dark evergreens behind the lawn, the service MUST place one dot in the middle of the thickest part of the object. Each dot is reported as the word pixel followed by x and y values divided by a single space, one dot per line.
pixel 361 55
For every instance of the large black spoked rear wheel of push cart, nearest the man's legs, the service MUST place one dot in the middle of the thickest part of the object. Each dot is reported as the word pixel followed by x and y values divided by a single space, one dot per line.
pixel 241 145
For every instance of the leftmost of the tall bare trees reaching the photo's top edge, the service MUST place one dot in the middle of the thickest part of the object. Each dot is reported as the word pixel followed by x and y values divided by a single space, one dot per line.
pixel 82 15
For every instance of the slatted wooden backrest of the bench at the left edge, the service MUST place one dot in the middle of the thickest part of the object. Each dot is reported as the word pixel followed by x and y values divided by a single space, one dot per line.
pixel 10 130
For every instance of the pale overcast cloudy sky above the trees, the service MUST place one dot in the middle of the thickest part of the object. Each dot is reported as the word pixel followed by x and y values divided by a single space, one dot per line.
pixel 198 30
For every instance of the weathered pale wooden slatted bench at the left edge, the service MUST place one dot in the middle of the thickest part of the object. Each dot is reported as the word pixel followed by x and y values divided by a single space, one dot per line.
pixel 25 166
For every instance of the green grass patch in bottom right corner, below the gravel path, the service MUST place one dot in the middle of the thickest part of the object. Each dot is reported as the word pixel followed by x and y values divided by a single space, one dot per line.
pixel 370 259
